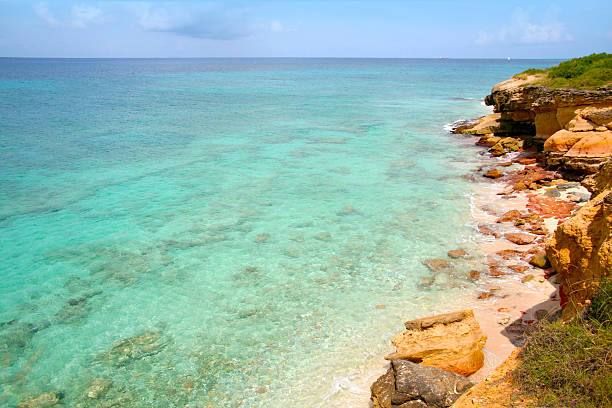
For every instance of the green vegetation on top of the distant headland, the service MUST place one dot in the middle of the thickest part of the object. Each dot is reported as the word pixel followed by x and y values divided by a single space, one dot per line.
pixel 592 71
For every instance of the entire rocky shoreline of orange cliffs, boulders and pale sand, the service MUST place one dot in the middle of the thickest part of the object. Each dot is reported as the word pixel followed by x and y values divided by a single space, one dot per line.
pixel 547 240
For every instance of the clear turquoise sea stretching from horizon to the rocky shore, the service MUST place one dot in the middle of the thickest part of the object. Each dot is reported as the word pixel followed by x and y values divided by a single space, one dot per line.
pixel 243 217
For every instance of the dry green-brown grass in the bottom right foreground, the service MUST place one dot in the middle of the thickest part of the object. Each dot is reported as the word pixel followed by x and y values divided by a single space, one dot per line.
pixel 570 365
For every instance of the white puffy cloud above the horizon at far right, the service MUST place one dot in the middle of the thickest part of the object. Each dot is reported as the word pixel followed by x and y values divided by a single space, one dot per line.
pixel 521 30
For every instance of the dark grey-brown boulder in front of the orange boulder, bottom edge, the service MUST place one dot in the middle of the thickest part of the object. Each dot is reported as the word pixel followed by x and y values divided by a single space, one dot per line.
pixel 410 385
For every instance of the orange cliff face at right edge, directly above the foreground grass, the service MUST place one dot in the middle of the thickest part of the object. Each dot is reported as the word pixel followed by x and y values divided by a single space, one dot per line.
pixel 581 248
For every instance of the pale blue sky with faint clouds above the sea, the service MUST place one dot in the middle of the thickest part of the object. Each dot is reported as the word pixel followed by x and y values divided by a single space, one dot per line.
pixel 315 28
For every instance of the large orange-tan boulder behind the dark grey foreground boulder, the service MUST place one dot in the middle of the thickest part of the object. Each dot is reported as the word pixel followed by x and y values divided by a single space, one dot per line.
pixel 451 341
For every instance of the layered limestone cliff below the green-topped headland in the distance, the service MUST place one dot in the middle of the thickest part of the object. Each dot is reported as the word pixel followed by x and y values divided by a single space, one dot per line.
pixel 574 126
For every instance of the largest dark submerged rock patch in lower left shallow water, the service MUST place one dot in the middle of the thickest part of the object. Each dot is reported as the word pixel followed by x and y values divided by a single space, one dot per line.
pixel 134 348
